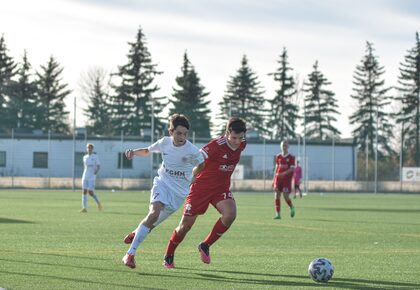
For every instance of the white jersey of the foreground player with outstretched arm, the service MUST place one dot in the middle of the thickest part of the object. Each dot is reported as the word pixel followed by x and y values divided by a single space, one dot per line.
pixel 177 164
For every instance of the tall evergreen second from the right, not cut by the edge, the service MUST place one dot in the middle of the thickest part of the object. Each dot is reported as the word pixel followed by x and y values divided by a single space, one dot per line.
pixel 370 117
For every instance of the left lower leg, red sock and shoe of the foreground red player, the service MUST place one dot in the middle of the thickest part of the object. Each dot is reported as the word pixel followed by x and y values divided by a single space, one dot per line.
pixel 177 237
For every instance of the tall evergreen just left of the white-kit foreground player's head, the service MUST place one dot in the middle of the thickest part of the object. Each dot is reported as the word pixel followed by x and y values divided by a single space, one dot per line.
pixel 133 101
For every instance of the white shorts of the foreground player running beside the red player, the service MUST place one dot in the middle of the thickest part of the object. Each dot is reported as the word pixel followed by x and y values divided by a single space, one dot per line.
pixel 172 201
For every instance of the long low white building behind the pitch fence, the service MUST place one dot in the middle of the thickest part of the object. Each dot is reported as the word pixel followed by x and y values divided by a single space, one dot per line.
pixel 54 156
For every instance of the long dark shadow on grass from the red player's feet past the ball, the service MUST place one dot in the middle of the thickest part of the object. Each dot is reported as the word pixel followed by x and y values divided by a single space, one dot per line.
pixel 335 283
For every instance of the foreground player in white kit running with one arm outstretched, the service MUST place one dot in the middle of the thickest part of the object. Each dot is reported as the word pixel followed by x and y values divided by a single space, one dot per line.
pixel 180 158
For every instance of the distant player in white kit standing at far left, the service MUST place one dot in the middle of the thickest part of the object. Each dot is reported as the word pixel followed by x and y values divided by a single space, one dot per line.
pixel 91 167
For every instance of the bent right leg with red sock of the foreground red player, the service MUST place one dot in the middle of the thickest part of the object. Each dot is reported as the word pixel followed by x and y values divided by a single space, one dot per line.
pixel 227 208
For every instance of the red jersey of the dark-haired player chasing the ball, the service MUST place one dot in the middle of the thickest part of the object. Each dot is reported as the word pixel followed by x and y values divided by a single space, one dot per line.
pixel 220 162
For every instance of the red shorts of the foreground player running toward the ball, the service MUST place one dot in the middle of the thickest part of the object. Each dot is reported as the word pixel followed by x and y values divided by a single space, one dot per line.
pixel 198 202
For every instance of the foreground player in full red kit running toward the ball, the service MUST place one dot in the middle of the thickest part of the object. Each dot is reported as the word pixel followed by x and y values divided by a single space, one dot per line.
pixel 211 186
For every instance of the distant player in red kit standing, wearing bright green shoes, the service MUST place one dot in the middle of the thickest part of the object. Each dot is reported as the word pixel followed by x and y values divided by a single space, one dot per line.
pixel 283 174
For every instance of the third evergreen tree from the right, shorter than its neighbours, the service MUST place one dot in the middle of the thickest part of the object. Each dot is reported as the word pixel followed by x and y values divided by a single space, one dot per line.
pixel 320 106
